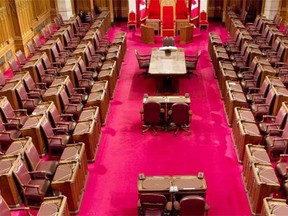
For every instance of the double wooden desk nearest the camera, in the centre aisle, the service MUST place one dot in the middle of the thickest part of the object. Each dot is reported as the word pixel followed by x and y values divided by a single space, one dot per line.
pixel 186 185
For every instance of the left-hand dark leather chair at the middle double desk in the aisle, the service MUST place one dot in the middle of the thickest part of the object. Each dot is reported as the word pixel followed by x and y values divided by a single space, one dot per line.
pixel 151 116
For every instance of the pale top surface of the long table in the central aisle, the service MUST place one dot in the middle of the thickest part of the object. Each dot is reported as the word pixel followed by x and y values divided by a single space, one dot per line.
pixel 171 64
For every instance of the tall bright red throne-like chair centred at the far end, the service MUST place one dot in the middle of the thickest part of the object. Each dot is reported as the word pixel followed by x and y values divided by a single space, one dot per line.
pixel 168 21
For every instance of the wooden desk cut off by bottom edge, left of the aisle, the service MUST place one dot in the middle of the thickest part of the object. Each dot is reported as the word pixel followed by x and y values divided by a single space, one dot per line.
pixel 54 206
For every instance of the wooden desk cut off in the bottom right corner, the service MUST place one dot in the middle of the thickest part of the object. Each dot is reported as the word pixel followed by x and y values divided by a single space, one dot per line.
pixel 274 207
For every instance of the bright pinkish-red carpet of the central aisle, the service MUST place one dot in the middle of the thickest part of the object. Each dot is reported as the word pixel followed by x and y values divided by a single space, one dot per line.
pixel 124 152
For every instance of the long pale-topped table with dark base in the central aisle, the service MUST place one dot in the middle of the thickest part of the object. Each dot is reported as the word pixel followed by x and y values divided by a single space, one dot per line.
pixel 167 68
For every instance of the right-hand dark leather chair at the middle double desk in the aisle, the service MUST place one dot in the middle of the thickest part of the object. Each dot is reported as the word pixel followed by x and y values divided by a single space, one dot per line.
pixel 180 114
